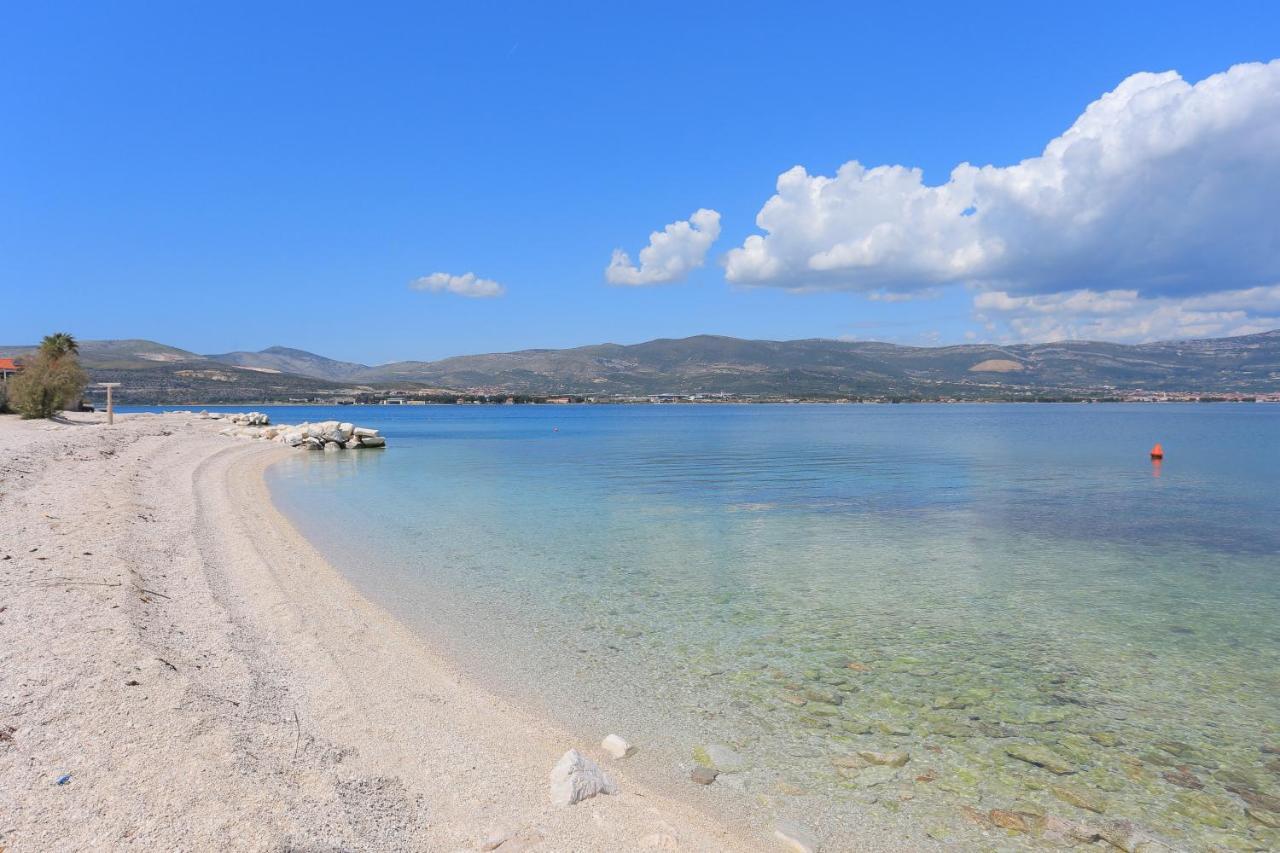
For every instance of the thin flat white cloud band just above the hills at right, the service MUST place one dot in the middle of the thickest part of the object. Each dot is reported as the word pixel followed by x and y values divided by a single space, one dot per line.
pixel 1126 316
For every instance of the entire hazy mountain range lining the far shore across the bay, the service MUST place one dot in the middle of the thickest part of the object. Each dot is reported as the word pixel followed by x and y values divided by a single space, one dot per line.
pixel 701 366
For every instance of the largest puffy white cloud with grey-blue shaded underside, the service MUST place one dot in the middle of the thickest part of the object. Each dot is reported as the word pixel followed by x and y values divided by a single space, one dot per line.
pixel 1159 188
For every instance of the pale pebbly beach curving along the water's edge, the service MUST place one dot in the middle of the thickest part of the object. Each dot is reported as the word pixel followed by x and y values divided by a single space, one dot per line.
pixel 207 681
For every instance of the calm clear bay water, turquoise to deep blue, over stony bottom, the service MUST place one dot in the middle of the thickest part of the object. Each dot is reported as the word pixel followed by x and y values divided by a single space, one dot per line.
pixel 1002 578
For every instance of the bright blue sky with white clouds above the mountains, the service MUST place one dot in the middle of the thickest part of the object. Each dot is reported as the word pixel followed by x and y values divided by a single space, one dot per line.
pixel 378 183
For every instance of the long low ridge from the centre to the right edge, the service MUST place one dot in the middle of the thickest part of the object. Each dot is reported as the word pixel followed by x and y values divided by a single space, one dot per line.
pixel 708 364
